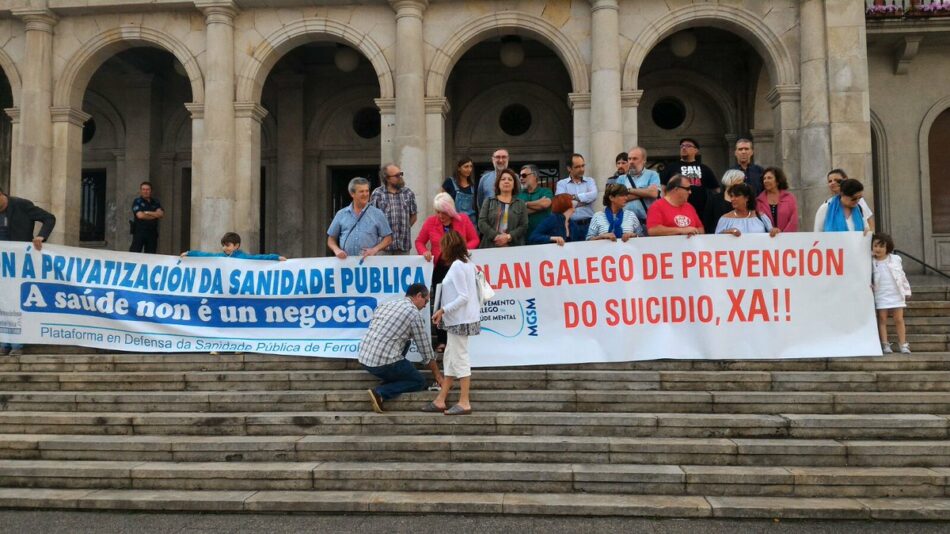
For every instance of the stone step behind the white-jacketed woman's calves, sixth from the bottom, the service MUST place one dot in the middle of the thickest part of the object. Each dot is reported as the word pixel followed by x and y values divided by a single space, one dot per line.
pixel 487 379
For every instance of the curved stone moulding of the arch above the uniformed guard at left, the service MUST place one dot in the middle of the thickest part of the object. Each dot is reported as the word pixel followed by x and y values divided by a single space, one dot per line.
pixel 83 64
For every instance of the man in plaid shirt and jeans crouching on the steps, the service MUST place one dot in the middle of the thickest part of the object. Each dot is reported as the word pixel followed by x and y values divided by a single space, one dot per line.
pixel 383 351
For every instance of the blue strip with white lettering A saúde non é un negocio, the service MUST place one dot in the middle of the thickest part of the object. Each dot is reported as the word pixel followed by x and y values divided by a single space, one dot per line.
pixel 325 312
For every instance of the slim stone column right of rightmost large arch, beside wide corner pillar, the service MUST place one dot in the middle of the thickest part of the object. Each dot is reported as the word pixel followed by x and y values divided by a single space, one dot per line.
pixel 815 119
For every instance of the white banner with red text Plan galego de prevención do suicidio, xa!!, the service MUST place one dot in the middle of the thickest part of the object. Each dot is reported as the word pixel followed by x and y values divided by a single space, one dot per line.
pixel 715 297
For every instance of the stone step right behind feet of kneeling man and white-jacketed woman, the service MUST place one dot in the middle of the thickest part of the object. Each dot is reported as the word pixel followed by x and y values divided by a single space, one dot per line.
pixel 594 401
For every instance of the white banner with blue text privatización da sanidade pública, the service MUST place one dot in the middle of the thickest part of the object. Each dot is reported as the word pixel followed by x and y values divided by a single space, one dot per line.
pixel 149 303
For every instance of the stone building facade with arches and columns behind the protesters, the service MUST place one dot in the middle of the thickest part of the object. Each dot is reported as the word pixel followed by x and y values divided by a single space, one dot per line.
pixel 251 115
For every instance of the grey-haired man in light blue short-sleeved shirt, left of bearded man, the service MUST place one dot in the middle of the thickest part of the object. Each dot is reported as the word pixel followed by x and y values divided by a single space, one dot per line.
pixel 359 229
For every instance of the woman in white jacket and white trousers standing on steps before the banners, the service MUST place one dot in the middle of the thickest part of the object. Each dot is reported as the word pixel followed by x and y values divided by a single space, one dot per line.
pixel 459 315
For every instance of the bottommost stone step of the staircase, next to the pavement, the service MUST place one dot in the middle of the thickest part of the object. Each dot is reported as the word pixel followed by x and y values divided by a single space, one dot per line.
pixel 548 504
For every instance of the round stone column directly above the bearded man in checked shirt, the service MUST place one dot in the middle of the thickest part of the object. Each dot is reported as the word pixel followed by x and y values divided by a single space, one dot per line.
pixel 409 141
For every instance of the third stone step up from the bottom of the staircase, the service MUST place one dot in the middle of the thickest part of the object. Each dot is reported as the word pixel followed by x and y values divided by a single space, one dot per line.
pixel 505 449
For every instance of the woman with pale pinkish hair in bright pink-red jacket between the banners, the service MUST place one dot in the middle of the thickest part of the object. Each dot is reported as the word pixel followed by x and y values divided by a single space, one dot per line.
pixel 446 219
